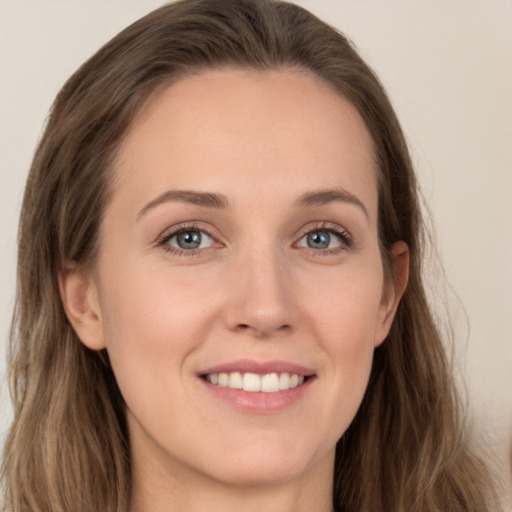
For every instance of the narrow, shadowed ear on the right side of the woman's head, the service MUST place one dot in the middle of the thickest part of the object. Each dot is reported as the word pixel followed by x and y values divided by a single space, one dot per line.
pixel 394 288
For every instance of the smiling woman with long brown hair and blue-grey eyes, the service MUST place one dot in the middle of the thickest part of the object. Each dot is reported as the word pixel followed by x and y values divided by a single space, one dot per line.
pixel 220 298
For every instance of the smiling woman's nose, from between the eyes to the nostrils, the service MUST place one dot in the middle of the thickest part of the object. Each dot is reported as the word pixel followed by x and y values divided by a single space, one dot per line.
pixel 260 299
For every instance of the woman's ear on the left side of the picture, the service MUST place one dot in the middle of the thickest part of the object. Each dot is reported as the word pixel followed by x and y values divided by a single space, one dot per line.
pixel 80 299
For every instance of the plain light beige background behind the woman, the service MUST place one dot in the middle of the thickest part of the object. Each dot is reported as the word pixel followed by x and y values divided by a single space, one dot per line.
pixel 447 65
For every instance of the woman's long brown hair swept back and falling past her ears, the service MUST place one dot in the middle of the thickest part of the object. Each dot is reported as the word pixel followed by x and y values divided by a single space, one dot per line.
pixel 68 446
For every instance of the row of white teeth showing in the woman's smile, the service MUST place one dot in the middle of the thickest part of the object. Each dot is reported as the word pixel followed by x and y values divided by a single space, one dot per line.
pixel 268 383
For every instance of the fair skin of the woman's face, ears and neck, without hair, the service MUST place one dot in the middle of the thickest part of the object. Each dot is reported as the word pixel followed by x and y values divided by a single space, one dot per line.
pixel 241 238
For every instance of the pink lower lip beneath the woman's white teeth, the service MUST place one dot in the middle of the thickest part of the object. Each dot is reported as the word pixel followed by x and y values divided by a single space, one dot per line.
pixel 258 402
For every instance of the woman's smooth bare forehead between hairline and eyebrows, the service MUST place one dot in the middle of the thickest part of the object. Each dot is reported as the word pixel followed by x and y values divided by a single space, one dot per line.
pixel 275 132
